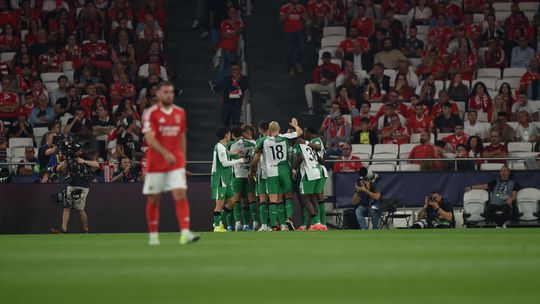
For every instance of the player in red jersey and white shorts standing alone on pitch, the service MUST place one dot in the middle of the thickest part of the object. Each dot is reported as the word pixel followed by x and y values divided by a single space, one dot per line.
pixel 164 128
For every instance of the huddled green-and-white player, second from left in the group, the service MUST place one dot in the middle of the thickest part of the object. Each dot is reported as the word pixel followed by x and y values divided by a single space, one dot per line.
pixel 243 188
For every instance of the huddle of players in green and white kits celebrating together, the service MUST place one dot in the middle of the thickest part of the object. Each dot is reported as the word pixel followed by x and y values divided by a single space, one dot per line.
pixel 273 168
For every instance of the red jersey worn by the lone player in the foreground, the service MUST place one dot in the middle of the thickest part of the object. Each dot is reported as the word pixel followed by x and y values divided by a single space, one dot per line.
pixel 168 126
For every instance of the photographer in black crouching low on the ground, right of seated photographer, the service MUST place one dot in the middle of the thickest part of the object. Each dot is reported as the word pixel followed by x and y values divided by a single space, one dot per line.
pixel 436 213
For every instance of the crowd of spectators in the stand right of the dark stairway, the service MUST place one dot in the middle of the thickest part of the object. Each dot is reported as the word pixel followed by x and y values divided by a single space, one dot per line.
pixel 436 70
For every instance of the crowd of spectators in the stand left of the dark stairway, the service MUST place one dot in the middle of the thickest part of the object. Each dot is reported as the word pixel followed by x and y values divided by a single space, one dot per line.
pixel 82 68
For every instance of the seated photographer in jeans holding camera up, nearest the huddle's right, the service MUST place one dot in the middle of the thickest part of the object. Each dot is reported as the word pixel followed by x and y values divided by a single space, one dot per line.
pixel 366 200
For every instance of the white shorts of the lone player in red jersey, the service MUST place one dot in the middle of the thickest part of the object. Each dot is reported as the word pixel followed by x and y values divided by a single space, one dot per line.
pixel 160 182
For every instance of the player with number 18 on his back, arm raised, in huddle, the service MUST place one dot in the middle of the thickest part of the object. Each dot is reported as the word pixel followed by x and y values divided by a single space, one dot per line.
pixel 275 150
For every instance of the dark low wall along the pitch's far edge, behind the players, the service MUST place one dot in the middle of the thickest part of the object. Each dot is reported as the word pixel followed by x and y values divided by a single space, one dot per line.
pixel 116 208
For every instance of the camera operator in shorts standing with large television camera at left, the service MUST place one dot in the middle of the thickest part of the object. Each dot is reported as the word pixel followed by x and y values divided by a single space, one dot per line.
pixel 78 169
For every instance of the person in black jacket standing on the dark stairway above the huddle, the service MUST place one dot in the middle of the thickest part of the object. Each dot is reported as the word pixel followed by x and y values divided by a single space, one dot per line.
pixel 233 89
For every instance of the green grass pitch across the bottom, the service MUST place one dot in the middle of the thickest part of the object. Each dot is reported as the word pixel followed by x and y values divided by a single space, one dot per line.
pixel 392 266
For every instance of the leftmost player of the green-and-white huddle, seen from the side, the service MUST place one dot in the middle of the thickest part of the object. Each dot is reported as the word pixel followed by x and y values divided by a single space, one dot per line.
pixel 221 179
